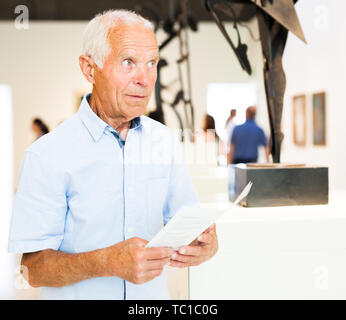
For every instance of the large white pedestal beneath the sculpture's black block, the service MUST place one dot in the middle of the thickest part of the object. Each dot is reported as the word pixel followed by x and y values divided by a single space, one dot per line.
pixel 277 253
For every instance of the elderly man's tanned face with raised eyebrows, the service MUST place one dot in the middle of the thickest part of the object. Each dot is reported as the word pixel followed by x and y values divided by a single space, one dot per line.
pixel 127 79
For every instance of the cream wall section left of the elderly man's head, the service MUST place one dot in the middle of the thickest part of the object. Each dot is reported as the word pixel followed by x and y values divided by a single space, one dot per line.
pixel 41 66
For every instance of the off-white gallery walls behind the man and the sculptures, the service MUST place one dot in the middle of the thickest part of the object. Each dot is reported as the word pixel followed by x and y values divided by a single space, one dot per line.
pixel 41 66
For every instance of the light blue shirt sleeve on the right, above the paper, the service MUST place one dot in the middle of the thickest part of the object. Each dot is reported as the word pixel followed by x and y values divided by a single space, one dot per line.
pixel 180 191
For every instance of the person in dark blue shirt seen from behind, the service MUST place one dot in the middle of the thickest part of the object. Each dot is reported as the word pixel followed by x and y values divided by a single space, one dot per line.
pixel 246 139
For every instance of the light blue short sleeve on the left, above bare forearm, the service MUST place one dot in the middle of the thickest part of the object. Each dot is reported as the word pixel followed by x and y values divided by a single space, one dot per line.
pixel 39 210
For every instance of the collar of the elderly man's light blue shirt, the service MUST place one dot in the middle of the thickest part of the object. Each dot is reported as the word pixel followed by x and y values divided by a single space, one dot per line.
pixel 95 125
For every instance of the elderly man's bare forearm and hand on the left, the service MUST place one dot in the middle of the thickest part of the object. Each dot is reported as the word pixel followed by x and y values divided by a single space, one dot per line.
pixel 129 260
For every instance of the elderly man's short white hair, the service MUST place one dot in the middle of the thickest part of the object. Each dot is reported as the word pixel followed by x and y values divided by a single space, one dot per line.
pixel 95 39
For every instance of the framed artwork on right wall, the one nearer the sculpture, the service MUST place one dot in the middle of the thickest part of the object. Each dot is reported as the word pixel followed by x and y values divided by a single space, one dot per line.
pixel 299 120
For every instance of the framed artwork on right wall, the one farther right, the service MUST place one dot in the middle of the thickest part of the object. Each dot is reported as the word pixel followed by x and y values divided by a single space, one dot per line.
pixel 319 118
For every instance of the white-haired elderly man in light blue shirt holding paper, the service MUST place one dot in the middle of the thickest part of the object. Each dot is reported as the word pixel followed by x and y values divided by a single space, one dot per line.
pixel 93 191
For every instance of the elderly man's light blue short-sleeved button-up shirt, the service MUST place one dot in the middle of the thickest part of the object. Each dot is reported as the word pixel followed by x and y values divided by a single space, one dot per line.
pixel 81 188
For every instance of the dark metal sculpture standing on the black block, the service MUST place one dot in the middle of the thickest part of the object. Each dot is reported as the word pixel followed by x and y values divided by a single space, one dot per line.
pixel 275 19
